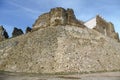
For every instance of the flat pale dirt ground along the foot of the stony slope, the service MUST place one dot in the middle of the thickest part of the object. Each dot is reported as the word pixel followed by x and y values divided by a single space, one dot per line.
pixel 93 76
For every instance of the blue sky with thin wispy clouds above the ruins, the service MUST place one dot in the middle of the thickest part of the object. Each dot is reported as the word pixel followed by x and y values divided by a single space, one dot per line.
pixel 23 13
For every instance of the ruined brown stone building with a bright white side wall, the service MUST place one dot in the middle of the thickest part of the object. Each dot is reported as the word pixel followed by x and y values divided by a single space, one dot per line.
pixel 102 26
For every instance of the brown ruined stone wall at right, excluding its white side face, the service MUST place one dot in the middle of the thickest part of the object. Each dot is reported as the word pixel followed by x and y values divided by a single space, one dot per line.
pixel 106 28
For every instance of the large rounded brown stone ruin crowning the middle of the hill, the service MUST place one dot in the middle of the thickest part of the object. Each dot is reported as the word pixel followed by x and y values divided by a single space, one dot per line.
pixel 57 16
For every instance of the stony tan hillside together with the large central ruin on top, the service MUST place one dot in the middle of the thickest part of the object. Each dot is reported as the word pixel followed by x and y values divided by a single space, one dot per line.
pixel 58 42
